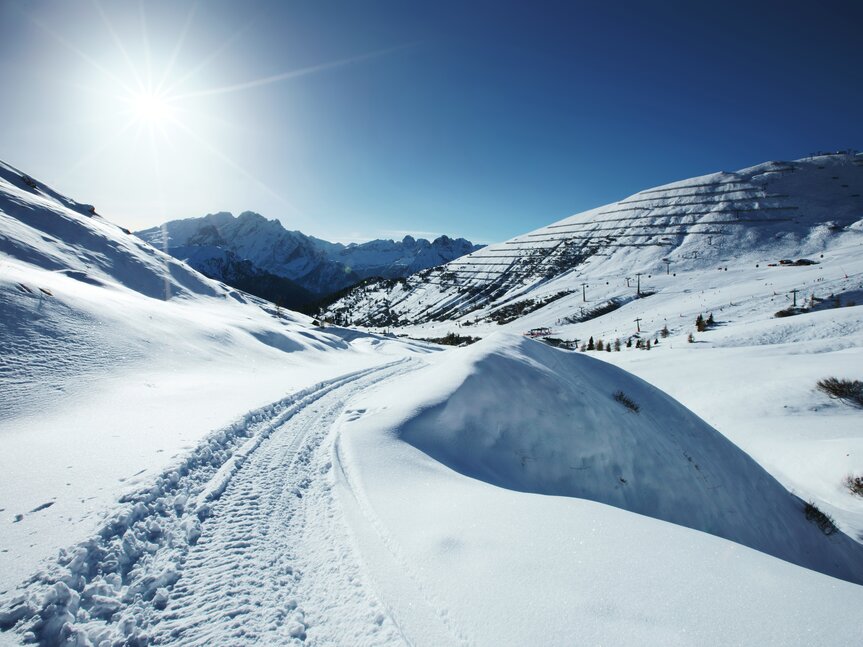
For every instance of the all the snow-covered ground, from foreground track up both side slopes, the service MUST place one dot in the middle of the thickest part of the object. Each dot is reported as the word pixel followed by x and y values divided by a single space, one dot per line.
pixel 215 471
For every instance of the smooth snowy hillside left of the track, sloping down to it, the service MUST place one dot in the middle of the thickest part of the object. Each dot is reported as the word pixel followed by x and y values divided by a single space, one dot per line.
pixel 117 359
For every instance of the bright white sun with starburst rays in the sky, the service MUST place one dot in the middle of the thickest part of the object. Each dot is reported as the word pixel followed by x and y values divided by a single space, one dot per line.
pixel 157 108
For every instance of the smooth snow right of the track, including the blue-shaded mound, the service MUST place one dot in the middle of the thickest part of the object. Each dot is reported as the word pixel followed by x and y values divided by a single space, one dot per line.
pixel 448 470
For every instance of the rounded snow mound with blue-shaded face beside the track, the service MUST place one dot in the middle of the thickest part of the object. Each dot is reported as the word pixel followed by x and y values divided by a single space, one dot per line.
pixel 521 415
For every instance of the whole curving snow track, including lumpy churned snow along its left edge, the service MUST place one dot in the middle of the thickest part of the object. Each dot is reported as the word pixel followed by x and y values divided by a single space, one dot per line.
pixel 256 550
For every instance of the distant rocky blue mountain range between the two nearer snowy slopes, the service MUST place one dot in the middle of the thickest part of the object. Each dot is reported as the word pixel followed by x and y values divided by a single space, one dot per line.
pixel 262 257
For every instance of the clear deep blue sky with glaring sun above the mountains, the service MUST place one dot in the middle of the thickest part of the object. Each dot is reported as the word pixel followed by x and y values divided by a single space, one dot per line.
pixel 356 120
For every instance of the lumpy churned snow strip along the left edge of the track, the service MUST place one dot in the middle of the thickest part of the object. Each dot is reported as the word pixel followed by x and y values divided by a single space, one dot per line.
pixel 109 586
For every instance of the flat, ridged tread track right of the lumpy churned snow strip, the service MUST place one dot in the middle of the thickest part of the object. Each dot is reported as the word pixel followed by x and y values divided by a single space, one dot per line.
pixel 274 564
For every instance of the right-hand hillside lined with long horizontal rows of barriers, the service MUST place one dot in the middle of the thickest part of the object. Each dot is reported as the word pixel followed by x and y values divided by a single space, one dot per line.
pixel 772 211
